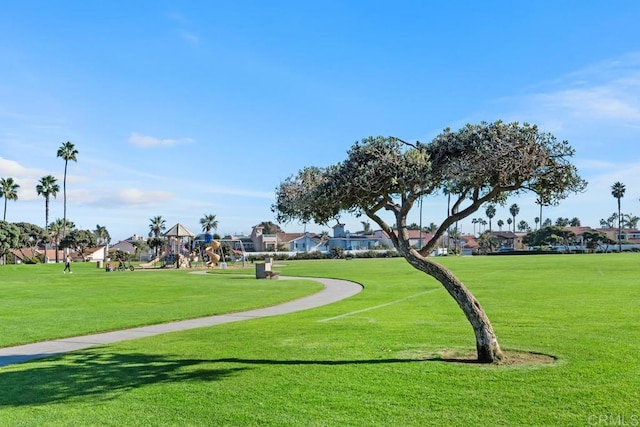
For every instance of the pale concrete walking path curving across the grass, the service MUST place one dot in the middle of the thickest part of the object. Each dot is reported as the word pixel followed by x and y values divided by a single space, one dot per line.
pixel 334 290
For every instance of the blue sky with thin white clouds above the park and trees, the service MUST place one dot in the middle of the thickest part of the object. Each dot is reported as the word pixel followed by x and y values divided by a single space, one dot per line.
pixel 187 108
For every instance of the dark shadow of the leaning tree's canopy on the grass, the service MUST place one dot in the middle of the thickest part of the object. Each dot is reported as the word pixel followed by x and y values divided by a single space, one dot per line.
pixel 99 375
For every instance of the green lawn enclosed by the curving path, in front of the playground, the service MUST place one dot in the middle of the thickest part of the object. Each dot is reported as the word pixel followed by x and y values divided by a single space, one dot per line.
pixel 40 303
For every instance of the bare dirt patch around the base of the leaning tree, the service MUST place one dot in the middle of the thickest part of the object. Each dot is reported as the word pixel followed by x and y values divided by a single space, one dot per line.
pixel 512 357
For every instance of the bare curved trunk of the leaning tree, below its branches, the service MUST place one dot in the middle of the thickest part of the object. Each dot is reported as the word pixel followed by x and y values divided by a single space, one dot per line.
pixel 487 346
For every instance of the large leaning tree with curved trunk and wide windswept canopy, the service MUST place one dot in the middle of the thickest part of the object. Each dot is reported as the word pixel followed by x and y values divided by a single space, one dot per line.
pixel 478 164
